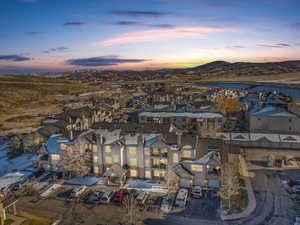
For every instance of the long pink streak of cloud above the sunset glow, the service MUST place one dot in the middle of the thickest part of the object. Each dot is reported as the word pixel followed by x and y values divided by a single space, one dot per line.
pixel 162 34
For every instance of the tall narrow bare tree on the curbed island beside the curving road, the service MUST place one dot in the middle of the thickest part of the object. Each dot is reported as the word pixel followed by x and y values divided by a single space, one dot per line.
pixel 229 182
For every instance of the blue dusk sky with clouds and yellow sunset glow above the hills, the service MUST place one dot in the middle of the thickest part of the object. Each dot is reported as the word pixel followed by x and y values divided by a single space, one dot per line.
pixel 62 35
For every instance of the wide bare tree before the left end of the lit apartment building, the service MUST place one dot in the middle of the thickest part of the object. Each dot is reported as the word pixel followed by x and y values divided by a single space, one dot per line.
pixel 76 163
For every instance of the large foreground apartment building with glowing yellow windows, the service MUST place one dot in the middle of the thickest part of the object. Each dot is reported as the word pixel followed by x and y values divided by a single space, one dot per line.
pixel 139 155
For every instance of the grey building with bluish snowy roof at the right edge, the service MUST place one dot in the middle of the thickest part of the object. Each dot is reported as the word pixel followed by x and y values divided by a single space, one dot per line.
pixel 273 119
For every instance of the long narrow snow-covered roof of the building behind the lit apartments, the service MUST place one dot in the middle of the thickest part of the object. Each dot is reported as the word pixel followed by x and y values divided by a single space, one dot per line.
pixel 197 115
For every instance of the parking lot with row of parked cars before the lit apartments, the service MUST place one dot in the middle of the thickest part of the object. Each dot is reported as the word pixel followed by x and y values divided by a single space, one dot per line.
pixel 104 203
